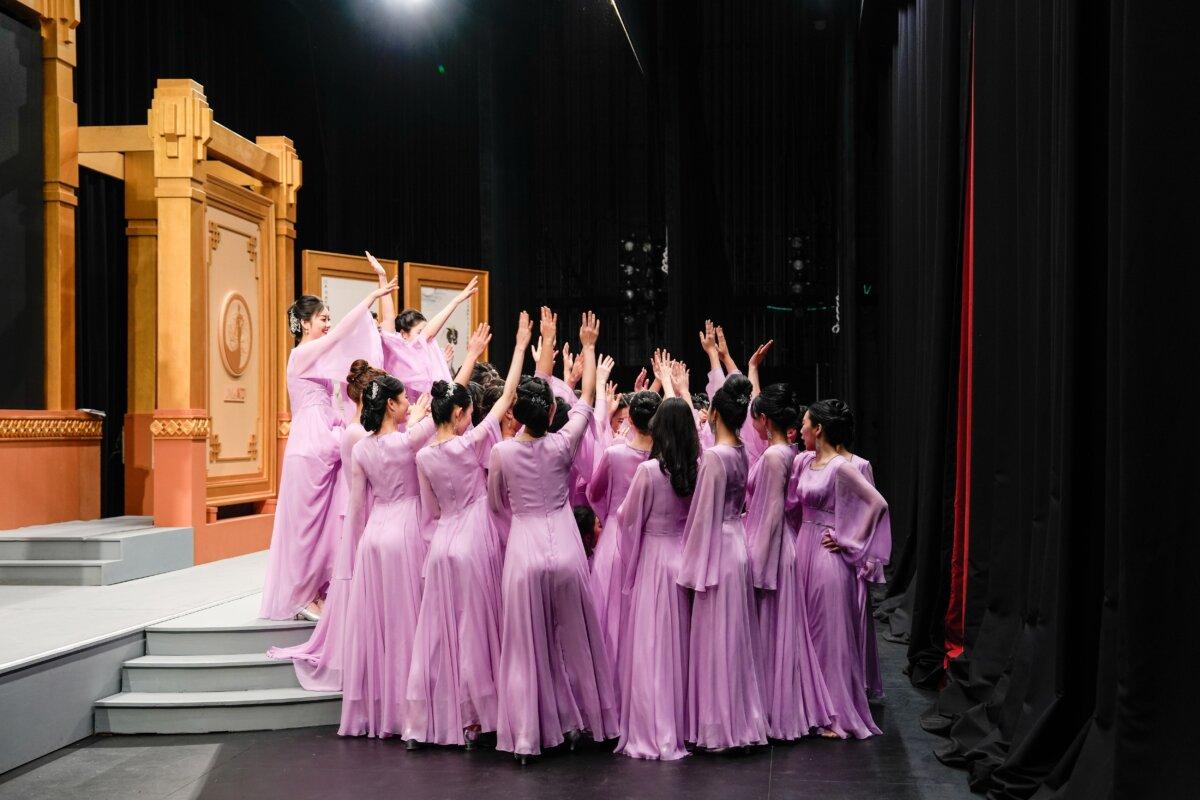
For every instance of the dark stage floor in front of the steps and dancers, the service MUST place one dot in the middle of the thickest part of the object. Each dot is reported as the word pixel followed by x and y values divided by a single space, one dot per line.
pixel 316 763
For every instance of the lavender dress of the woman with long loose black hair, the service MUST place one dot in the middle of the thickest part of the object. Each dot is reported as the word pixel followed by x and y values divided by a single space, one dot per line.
pixel 652 664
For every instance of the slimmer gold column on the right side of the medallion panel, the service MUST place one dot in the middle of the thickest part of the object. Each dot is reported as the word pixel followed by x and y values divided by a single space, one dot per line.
pixel 284 195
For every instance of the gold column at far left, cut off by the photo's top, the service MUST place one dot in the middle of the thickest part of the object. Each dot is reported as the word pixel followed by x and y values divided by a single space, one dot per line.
pixel 59 20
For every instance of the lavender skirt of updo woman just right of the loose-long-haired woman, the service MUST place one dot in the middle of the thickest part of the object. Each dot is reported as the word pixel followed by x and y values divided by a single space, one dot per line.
pixel 725 706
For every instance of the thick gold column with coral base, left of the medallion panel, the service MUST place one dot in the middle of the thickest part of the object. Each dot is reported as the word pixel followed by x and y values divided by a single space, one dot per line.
pixel 181 127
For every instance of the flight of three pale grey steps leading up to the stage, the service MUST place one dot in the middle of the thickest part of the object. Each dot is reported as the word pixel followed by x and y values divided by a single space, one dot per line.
pixel 208 672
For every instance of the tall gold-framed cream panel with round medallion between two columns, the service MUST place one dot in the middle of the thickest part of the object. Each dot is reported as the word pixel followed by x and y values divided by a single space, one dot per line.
pixel 242 346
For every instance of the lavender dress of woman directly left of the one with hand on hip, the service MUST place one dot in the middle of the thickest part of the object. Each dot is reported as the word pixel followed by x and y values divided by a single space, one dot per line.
pixel 795 693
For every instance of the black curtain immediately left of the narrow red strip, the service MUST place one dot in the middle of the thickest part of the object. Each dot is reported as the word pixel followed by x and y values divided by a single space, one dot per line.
pixel 915 63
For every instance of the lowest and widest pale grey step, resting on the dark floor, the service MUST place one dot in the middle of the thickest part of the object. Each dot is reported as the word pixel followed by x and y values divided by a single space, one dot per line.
pixel 266 709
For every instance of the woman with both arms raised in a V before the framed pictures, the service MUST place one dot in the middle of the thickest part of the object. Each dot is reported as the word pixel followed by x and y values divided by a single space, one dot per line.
pixel 410 342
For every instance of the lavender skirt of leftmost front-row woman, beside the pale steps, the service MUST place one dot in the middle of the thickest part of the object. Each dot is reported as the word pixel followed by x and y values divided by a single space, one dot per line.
pixel 381 621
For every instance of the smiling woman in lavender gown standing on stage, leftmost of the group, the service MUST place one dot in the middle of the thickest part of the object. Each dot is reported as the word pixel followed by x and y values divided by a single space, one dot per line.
pixel 307 521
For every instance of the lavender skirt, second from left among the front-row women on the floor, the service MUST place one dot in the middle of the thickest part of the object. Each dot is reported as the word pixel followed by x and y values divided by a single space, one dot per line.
pixel 457 655
